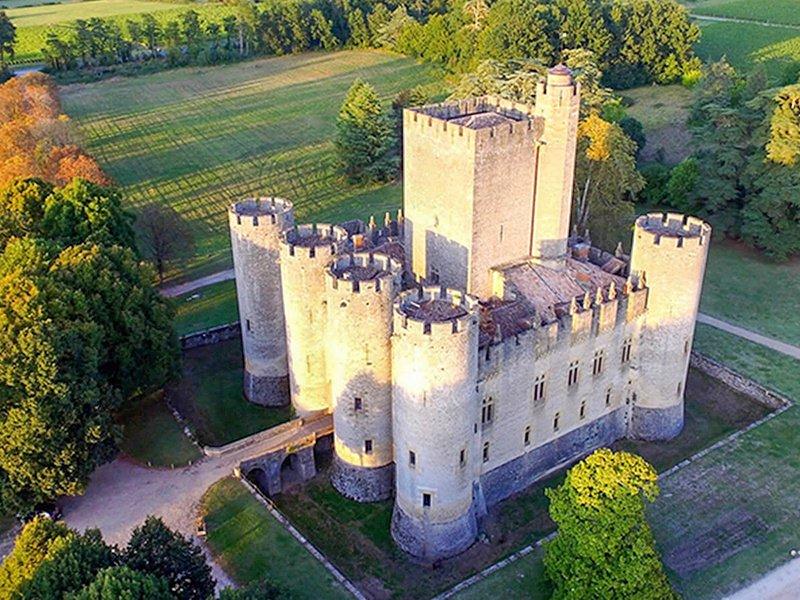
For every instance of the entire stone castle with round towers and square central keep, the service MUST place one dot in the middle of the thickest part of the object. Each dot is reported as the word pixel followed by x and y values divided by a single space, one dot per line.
pixel 470 346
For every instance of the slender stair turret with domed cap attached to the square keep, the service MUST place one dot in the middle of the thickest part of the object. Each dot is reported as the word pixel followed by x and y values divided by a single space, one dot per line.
pixel 558 104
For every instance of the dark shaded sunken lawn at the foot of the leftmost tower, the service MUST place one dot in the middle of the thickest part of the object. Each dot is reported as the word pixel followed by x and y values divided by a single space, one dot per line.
pixel 209 396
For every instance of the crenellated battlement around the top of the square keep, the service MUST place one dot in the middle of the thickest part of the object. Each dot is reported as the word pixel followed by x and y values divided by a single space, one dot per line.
pixel 476 120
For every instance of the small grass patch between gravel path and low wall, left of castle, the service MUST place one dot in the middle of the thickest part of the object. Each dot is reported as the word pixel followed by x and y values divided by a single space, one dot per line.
pixel 207 307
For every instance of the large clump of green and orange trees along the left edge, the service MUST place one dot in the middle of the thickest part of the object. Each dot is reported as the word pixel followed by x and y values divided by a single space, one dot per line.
pixel 82 328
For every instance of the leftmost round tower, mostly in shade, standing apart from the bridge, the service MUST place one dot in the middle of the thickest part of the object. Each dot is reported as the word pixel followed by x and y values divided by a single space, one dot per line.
pixel 256 226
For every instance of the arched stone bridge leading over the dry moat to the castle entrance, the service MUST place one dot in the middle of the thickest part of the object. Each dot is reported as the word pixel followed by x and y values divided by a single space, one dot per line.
pixel 283 455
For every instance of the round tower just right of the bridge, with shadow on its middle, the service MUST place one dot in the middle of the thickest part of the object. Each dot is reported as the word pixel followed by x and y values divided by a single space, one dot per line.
pixel 360 293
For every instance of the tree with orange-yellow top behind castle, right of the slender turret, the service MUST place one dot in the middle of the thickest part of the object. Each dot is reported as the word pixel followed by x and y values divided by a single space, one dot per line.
pixel 606 180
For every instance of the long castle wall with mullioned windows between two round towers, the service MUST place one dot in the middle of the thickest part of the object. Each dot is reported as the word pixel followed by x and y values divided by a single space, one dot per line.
pixel 591 412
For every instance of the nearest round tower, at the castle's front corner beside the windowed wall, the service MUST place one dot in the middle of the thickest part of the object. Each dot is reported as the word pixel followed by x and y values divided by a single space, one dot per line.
pixel 434 406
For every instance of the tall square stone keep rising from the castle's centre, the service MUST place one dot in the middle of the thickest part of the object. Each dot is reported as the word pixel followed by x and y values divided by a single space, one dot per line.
pixel 469 181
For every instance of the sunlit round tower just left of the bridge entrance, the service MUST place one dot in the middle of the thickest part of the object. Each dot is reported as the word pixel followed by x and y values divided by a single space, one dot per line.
pixel 306 251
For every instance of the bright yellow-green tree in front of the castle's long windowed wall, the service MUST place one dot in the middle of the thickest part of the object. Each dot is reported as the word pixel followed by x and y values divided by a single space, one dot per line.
pixel 604 547
